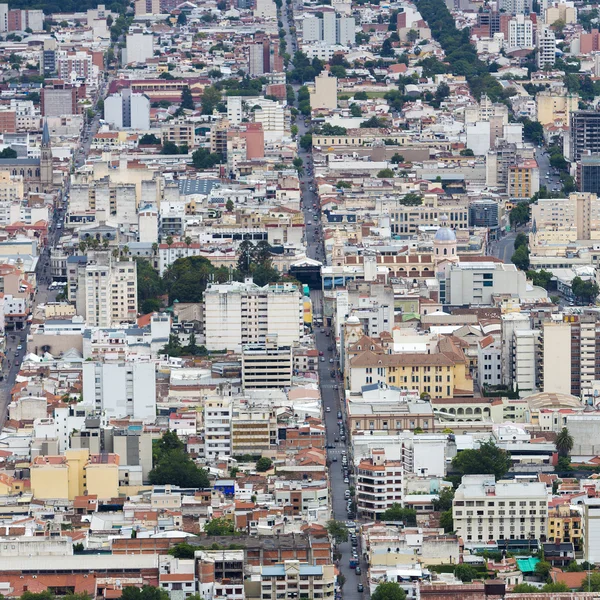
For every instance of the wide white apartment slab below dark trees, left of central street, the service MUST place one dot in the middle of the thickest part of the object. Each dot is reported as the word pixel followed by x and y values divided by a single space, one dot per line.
pixel 241 313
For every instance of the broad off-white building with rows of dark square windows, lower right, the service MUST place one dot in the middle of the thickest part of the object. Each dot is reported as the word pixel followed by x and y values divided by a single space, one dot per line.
pixel 486 510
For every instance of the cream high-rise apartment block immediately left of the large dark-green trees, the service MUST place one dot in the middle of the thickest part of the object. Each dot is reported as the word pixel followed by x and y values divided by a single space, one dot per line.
pixel 106 292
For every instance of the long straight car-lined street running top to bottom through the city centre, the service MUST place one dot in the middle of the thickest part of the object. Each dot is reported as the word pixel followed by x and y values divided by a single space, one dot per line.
pixel 330 382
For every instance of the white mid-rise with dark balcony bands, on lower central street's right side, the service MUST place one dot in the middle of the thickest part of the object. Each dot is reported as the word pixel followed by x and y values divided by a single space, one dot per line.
pixel 379 484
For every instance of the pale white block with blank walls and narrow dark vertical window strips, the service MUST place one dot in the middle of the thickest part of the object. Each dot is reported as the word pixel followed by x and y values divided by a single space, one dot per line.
pixel 121 389
